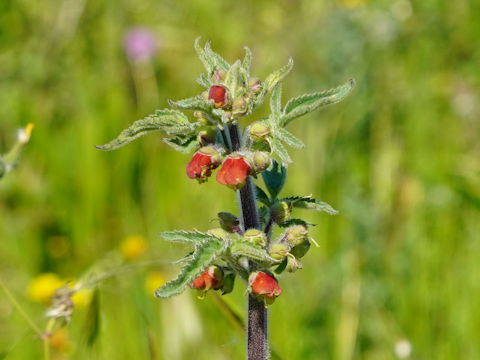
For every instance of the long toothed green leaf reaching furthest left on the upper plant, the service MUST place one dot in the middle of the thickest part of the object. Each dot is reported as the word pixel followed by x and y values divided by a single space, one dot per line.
pixel 170 121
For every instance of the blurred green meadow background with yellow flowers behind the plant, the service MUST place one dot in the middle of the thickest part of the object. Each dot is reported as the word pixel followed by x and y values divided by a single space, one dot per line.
pixel 397 272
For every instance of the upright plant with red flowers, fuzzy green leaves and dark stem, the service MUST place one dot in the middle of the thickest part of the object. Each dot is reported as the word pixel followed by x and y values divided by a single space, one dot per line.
pixel 243 247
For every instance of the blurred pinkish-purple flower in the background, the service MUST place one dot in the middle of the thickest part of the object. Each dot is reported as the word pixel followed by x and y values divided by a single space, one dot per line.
pixel 140 44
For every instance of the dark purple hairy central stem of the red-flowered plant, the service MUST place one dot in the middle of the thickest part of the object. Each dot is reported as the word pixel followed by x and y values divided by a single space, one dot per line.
pixel 257 334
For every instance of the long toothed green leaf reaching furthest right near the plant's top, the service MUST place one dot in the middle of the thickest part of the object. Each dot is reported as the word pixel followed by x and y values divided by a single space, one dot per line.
pixel 304 104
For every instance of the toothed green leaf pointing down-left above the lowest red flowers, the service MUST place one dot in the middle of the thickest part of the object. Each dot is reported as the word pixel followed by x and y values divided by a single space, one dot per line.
pixel 206 252
